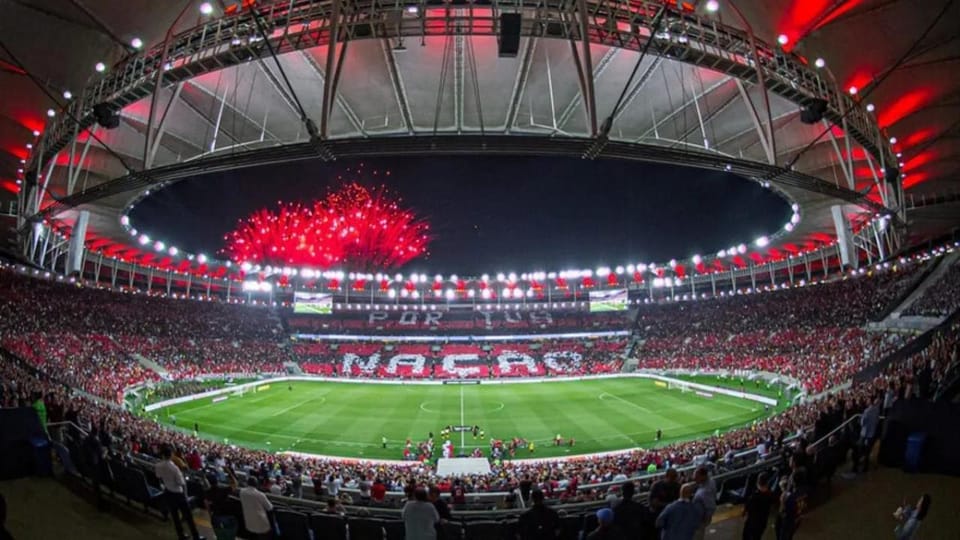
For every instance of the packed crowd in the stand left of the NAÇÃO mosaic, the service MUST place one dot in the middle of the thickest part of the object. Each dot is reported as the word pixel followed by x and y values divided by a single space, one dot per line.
pixel 88 337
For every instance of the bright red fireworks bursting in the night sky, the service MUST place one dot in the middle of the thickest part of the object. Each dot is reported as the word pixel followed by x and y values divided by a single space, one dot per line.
pixel 353 227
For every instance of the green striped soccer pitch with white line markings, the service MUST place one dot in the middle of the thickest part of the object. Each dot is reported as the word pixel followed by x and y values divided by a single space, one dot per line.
pixel 348 419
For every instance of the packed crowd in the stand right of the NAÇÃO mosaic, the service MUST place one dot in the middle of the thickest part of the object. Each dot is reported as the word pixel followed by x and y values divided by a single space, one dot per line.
pixel 813 334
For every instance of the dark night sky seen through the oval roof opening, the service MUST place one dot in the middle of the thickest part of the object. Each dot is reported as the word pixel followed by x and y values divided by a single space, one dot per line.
pixel 492 214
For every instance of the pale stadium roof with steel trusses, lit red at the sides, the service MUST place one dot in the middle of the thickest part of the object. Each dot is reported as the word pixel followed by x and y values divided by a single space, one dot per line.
pixel 225 103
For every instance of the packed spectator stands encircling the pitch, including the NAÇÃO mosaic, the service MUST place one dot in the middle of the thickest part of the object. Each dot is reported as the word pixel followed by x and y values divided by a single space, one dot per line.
pixel 76 348
